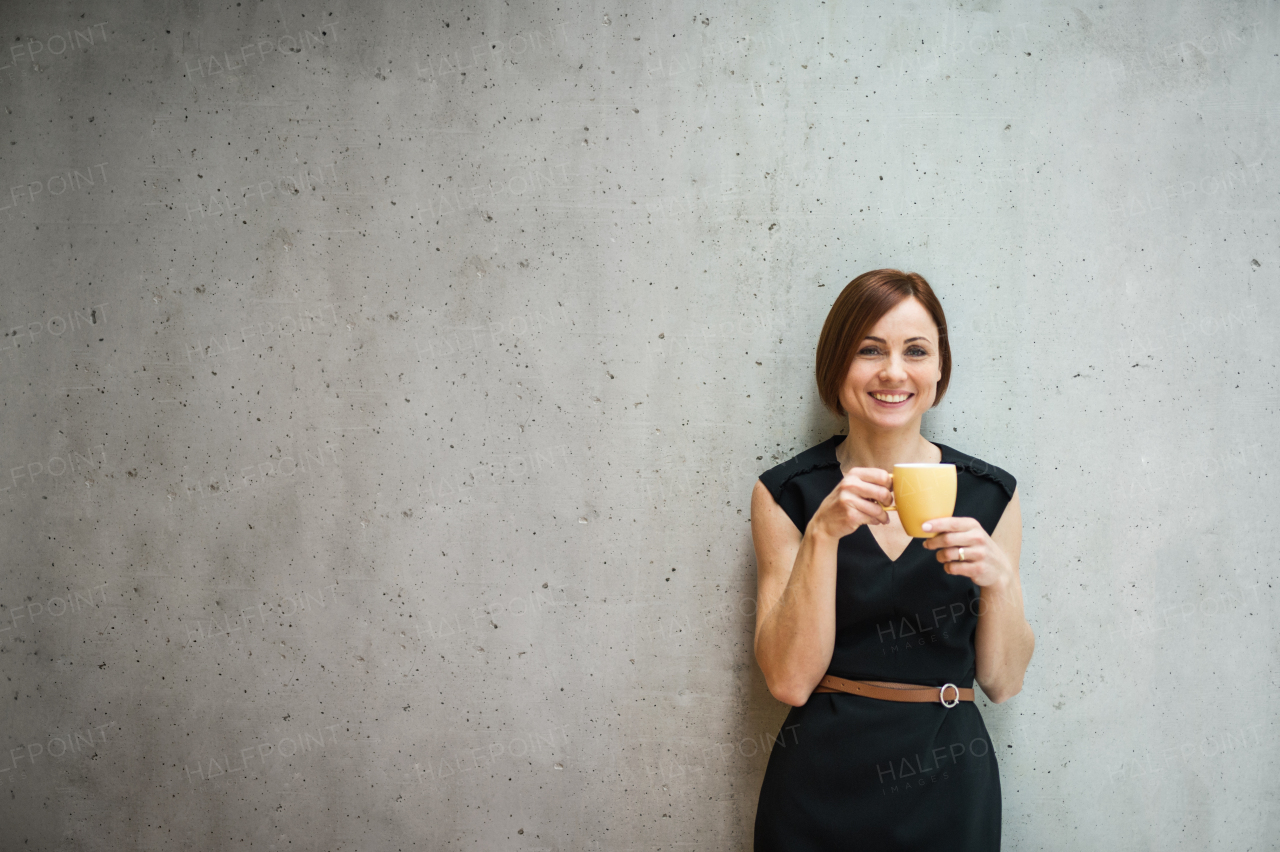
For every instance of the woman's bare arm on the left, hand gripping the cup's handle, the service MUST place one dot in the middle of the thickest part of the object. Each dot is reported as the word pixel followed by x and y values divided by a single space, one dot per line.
pixel 796 613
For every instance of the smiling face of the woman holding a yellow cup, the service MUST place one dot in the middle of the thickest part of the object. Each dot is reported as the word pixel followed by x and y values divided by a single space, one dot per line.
pixel 895 373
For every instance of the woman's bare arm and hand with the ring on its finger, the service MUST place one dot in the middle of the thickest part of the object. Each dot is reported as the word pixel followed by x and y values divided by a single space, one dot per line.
pixel 1004 642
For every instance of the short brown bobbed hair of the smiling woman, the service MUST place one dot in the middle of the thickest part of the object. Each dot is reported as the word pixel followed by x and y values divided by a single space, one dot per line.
pixel 860 308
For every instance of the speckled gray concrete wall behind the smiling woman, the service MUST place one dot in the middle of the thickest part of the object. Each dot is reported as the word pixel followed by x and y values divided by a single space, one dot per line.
pixel 385 387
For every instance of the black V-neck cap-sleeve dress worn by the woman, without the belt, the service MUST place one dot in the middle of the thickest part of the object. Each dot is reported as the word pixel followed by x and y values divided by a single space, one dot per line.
pixel 854 773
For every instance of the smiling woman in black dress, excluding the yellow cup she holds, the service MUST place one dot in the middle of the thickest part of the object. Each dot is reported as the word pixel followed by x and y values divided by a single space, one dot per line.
pixel 872 636
